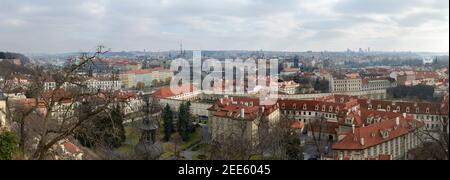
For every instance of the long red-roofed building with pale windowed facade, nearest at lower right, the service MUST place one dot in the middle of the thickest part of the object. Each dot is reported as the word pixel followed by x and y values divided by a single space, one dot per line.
pixel 379 136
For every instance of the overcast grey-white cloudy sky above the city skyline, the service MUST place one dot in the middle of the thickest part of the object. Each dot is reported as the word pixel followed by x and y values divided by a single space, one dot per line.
pixel 53 26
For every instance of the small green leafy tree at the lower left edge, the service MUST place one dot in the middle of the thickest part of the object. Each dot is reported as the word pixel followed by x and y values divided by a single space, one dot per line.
pixel 8 145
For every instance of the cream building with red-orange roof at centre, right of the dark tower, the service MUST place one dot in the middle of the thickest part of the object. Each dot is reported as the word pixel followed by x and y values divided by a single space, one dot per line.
pixel 242 118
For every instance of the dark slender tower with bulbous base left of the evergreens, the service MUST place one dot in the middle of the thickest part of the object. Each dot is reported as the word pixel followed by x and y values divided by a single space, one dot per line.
pixel 148 148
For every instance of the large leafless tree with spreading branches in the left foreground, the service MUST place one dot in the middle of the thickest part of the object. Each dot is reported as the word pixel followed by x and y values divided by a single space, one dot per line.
pixel 56 113
